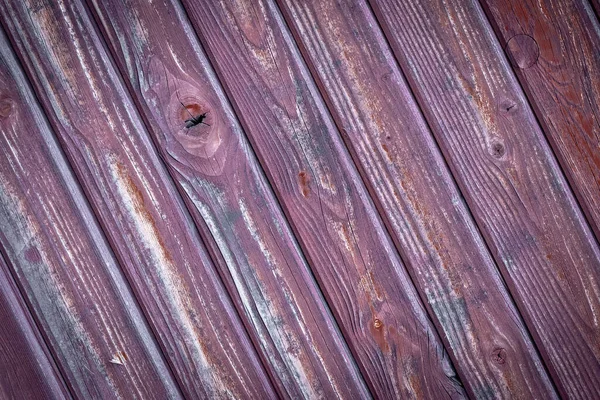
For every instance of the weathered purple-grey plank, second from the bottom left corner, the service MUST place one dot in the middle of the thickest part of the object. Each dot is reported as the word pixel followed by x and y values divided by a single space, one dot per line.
pixel 61 260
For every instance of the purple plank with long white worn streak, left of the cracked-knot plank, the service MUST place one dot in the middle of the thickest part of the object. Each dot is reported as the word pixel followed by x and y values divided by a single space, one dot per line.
pixel 135 200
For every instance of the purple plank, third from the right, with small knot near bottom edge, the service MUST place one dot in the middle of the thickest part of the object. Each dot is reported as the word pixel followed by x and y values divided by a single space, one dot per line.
pixel 373 106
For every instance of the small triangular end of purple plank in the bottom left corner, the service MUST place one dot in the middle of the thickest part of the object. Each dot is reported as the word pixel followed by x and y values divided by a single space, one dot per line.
pixel 28 370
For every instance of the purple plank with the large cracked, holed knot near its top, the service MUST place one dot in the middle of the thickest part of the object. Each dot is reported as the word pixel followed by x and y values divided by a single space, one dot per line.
pixel 213 164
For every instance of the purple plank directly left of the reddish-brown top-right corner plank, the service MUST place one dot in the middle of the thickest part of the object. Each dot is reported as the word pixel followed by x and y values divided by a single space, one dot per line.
pixel 509 176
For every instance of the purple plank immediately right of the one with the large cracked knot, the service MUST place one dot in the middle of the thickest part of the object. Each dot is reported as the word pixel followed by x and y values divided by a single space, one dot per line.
pixel 322 193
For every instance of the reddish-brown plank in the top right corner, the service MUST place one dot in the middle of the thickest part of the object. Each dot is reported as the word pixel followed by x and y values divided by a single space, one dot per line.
pixel 554 47
